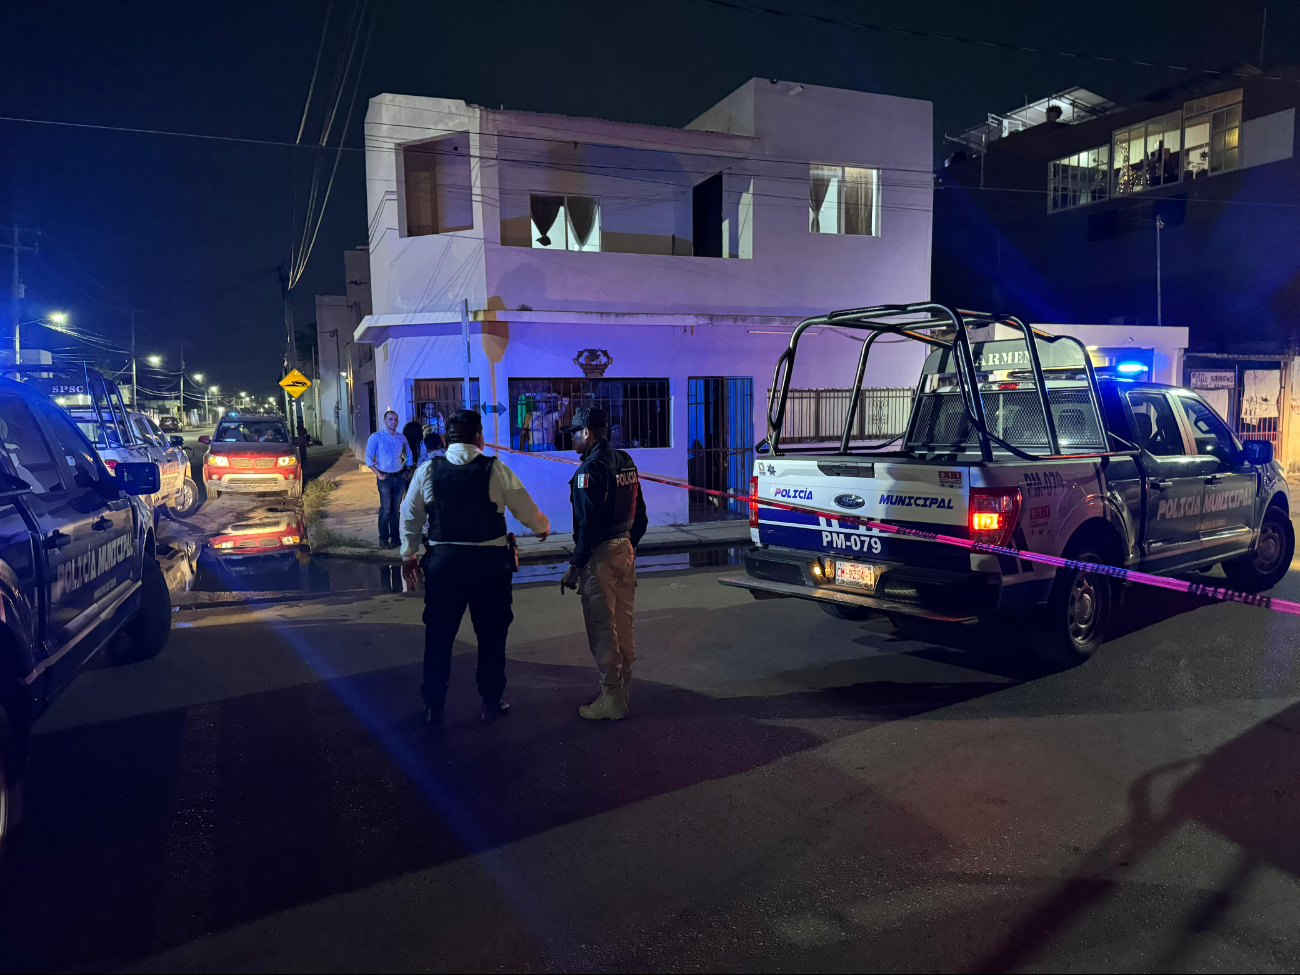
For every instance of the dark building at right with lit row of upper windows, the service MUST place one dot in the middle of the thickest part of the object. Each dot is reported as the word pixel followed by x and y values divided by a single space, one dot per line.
pixel 1180 210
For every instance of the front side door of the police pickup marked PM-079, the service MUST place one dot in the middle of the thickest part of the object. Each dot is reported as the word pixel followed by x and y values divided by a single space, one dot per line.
pixel 1230 483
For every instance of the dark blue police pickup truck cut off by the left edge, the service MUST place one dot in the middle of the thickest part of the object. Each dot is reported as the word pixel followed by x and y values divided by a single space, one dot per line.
pixel 77 565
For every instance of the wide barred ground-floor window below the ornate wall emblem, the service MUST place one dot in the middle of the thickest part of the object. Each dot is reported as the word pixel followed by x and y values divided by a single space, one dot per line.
pixel 640 411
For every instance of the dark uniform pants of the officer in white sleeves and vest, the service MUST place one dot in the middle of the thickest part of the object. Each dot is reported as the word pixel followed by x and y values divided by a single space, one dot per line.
pixel 457 577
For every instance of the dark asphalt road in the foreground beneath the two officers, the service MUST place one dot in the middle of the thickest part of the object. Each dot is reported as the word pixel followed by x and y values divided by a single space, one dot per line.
pixel 792 794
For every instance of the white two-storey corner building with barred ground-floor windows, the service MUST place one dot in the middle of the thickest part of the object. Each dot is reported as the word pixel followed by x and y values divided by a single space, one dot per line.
pixel 656 272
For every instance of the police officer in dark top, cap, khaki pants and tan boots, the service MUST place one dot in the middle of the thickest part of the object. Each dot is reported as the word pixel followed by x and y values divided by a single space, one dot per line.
pixel 609 521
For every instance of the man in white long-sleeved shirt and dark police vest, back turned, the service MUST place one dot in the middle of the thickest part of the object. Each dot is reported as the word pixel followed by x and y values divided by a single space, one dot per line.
pixel 470 564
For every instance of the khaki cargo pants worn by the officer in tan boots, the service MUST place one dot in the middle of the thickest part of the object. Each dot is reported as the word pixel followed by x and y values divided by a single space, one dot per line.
pixel 608 586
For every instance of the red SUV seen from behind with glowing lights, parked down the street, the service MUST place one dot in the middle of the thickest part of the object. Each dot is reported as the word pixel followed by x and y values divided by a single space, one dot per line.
pixel 252 454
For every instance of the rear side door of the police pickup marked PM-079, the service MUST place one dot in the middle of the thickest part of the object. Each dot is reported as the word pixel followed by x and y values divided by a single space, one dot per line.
pixel 1175 483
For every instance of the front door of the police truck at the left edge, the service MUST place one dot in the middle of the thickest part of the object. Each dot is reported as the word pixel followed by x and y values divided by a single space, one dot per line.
pixel 94 569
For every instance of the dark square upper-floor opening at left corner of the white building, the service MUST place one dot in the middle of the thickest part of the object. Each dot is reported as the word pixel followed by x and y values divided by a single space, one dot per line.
pixel 439 187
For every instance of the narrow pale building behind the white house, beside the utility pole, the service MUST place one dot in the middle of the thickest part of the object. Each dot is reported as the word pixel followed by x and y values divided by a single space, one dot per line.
pixel 345 366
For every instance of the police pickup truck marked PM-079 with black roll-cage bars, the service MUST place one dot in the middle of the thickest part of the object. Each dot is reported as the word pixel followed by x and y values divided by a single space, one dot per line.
pixel 1012 441
